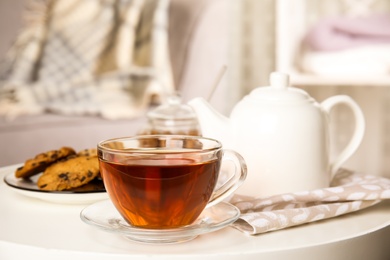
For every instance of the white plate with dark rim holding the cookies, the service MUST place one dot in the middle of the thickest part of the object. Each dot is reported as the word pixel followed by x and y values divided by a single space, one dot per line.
pixel 30 189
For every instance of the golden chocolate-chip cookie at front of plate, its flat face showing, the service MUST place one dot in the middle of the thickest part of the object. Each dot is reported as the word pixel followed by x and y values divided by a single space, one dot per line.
pixel 69 174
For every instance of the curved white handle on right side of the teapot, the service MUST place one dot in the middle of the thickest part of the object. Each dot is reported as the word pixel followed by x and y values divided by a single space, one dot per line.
pixel 358 133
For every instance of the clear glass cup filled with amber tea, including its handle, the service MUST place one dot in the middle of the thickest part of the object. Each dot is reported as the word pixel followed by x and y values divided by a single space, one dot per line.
pixel 166 181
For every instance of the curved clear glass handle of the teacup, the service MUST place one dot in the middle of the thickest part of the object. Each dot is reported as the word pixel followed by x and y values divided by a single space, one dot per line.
pixel 234 181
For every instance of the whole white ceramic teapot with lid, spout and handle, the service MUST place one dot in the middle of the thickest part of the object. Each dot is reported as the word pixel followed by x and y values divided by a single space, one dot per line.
pixel 283 135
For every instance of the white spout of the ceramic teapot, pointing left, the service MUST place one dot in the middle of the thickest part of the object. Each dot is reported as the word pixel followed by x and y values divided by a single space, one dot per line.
pixel 212 123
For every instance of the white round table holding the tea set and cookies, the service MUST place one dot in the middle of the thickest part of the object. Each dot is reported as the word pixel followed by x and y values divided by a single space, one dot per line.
pixel 35 229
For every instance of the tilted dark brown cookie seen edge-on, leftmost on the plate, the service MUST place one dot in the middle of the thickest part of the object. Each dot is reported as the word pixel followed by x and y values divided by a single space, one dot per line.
pixel 41 161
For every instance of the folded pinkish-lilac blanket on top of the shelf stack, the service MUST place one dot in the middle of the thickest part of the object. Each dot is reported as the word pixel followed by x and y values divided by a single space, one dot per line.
pixel 341 33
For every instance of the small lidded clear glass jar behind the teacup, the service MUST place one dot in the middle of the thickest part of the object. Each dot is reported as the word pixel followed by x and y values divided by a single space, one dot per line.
pixel 174 117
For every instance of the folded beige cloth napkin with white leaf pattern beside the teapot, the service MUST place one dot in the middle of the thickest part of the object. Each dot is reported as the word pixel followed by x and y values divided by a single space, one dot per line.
pixel 349 192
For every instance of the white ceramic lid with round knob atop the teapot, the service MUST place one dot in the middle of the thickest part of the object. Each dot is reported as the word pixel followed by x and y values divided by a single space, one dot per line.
pixel 279 90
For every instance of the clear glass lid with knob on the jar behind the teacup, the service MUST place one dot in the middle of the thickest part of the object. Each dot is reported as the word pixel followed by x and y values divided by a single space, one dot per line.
pixel 173 110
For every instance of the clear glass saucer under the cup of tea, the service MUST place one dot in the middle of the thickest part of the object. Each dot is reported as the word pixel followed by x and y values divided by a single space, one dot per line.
pixel 104 215
